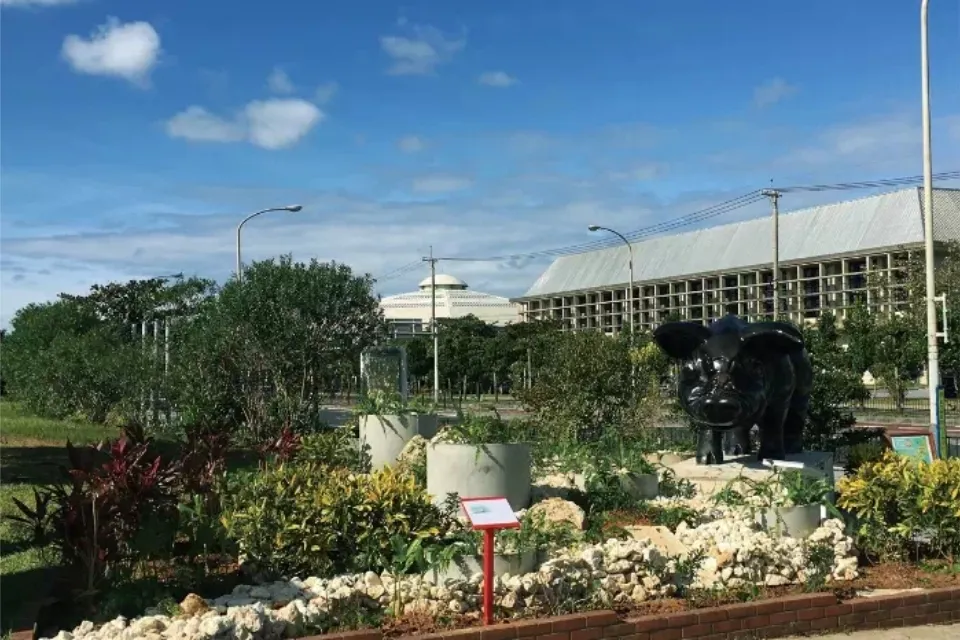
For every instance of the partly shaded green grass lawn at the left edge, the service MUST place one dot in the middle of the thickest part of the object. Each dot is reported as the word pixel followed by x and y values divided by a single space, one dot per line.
pixel 31 449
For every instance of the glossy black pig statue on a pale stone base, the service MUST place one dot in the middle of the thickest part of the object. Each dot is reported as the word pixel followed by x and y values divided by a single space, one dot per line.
pixel 735 375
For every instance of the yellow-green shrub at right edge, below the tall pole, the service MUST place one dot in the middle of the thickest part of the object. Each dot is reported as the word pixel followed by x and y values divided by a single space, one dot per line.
pixel 904 506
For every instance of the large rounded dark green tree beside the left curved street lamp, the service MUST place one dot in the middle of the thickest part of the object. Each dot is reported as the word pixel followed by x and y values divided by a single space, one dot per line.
pixel 262 353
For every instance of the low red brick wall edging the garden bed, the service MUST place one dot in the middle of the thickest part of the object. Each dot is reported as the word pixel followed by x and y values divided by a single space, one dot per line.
pixel 814 613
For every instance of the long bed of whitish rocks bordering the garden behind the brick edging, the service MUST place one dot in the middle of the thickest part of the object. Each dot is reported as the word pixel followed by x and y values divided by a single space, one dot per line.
pixel 733 553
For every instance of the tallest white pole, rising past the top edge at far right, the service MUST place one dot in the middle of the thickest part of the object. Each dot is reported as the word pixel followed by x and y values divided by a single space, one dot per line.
pixel 933 356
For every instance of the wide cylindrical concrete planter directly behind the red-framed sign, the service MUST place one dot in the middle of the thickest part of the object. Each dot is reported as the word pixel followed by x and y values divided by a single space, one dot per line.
pixel 480 471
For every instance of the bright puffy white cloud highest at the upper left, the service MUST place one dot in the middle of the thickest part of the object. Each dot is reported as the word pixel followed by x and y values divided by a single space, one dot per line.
pixel 123 50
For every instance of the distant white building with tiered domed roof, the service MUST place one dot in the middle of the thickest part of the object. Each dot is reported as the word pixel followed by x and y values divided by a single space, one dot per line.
pixel 409 313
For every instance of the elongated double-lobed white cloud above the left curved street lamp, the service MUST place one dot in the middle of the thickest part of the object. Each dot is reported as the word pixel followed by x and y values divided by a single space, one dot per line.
pixel 269 124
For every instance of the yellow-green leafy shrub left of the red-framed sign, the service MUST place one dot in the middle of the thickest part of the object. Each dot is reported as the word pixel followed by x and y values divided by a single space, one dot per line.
pixel 308 519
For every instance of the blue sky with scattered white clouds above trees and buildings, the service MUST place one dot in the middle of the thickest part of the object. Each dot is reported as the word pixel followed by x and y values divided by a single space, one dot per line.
pixel 135 135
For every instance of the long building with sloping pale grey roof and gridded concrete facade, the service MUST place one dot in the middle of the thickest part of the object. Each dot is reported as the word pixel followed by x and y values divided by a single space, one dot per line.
pixel 827 254
